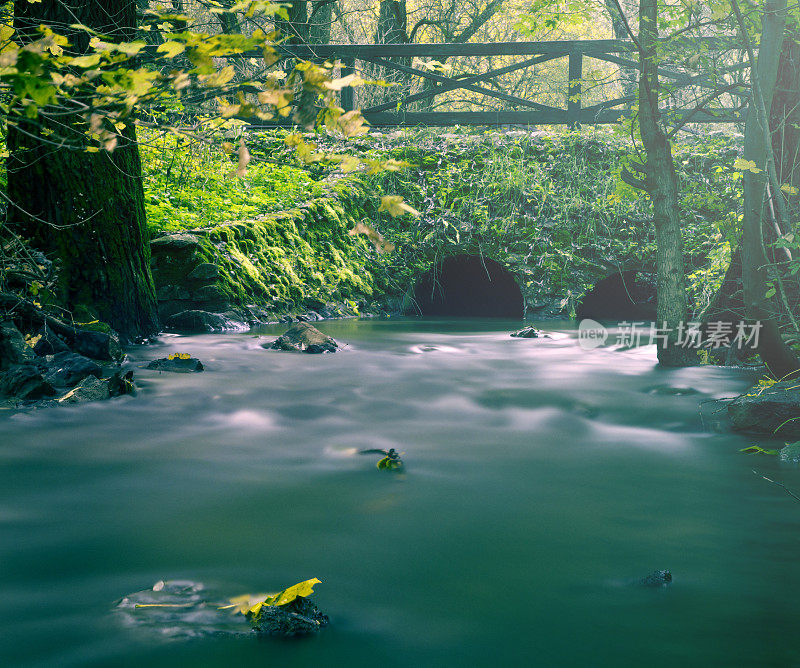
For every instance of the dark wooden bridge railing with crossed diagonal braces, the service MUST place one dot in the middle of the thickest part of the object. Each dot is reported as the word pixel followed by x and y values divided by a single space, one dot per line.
pixel 523 111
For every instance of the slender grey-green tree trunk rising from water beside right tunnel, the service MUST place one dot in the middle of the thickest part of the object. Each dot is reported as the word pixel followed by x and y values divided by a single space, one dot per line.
pixel 662 185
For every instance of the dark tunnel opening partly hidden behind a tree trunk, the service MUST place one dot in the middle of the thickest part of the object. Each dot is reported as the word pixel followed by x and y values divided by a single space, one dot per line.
pixel 623 296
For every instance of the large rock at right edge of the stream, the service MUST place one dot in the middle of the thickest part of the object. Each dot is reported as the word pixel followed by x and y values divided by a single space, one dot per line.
pixel 774 410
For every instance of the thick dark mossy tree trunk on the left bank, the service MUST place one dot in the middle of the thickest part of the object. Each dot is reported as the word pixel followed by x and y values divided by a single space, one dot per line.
pixel 87 208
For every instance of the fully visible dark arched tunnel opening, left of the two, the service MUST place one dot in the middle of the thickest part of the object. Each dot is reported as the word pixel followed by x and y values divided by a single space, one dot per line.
pixel 468 285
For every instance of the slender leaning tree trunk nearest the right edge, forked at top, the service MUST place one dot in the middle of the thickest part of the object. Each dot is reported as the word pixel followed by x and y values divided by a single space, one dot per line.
pixel 779 358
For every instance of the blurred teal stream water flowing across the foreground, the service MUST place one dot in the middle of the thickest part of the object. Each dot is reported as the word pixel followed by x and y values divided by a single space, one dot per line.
pixel 540 479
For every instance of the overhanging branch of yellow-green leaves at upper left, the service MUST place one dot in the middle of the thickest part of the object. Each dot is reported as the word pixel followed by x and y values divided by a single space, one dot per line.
pixel 108 85
